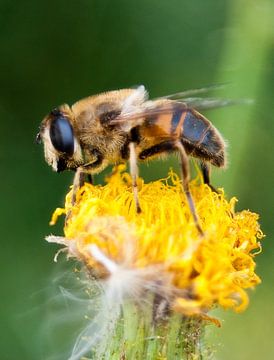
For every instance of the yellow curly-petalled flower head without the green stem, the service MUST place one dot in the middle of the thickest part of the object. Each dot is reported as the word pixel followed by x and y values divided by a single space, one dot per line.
pixel 161 247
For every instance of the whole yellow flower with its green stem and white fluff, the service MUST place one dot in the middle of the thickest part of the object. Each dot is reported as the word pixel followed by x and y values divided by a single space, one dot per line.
pixel 157 260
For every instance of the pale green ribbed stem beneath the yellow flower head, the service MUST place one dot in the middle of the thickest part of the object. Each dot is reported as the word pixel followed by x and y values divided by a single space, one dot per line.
pixel 138 336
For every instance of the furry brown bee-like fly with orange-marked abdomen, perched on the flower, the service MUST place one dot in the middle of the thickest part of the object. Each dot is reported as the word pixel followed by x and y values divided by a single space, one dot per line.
pixel 125 125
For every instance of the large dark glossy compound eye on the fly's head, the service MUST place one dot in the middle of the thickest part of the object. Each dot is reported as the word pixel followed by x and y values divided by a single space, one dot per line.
pixel 61 135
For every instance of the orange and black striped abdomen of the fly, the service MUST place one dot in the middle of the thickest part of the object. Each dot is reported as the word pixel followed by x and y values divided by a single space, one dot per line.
pixel 199 137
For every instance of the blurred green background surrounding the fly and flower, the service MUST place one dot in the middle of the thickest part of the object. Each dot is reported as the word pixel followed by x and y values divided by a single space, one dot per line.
pixel 60 51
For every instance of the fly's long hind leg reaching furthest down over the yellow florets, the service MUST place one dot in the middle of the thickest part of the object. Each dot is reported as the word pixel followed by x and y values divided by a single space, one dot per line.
pixel 185 179
